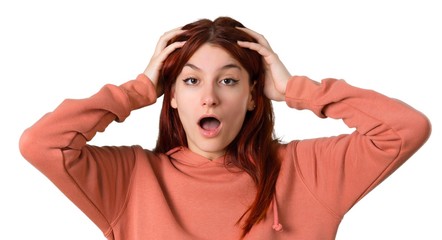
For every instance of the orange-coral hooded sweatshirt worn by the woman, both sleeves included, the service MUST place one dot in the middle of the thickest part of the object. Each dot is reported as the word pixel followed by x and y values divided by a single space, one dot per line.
pixel 133 193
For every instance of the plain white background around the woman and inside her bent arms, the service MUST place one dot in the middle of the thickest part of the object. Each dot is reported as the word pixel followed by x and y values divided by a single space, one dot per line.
pixel 51 50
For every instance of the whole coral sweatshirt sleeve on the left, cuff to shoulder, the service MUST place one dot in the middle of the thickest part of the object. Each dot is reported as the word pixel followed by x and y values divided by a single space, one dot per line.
pixel 94 178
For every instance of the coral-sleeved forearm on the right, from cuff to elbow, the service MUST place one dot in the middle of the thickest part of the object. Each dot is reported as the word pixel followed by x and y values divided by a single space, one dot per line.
pixel 374 115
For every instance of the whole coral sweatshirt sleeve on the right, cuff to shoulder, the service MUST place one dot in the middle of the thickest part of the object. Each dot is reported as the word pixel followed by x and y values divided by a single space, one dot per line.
pixel 340 170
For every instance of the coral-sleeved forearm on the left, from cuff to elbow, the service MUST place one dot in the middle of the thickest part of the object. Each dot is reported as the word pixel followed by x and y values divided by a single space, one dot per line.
pixel 74 122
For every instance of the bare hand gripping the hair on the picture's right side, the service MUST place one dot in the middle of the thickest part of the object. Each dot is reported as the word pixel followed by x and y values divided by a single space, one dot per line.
pixel 277 74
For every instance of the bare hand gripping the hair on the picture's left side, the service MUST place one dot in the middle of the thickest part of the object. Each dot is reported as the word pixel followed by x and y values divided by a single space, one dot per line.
pixel 152 70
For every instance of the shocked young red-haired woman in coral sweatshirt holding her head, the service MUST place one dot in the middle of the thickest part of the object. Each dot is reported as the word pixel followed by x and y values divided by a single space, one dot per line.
pixel 217 171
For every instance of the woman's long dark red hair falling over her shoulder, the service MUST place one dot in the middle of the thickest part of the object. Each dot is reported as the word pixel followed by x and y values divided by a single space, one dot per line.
pixel 254 148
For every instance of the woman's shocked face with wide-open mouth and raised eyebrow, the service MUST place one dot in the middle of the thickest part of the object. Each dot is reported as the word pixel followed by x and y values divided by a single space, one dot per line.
pixel 212 95
